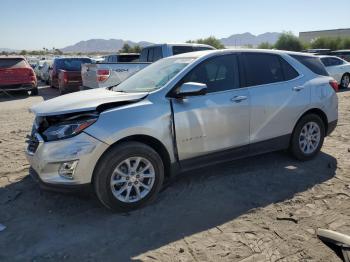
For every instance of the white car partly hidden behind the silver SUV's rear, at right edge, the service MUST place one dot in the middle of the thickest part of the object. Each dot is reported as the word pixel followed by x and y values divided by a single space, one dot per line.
pixel 338 68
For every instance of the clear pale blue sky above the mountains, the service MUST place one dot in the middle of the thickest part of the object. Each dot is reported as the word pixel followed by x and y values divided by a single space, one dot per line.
pixel 34 24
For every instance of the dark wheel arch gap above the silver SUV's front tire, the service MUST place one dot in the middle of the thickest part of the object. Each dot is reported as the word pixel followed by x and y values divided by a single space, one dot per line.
pixel 147 140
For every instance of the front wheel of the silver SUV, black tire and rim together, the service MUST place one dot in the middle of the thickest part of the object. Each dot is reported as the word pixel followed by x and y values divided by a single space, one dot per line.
pixel 114 196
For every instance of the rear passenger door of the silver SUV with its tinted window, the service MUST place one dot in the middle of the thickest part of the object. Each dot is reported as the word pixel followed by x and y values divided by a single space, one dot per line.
pixel 277 94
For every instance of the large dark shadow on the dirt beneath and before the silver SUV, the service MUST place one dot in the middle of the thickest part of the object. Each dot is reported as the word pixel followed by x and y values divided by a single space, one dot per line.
pixel 76 227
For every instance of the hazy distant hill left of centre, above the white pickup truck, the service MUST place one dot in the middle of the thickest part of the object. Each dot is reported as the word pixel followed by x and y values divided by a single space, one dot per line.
pixel 100 45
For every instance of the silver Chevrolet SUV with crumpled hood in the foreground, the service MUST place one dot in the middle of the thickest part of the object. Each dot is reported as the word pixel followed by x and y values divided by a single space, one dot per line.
pixel 181 113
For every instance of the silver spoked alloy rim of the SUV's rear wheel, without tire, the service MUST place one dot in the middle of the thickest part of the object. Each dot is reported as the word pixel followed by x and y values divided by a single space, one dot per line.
pixel 309 137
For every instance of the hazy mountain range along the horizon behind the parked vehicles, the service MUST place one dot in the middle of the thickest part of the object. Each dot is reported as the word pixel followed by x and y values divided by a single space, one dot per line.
pixel 113 45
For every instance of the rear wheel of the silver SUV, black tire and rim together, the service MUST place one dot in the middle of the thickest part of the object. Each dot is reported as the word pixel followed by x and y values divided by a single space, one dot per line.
pixel 304 145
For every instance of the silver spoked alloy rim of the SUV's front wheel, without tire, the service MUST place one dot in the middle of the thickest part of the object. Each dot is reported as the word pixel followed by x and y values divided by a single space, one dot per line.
pixel 132 179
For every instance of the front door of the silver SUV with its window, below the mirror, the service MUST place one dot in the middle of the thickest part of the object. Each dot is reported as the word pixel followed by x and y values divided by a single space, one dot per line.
pixel 218 120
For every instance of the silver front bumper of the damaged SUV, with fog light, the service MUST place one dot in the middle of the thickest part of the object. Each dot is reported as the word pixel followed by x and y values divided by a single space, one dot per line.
pixel 67 162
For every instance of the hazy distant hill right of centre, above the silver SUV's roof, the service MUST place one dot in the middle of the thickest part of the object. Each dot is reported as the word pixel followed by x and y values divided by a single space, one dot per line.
pixel 250 39
